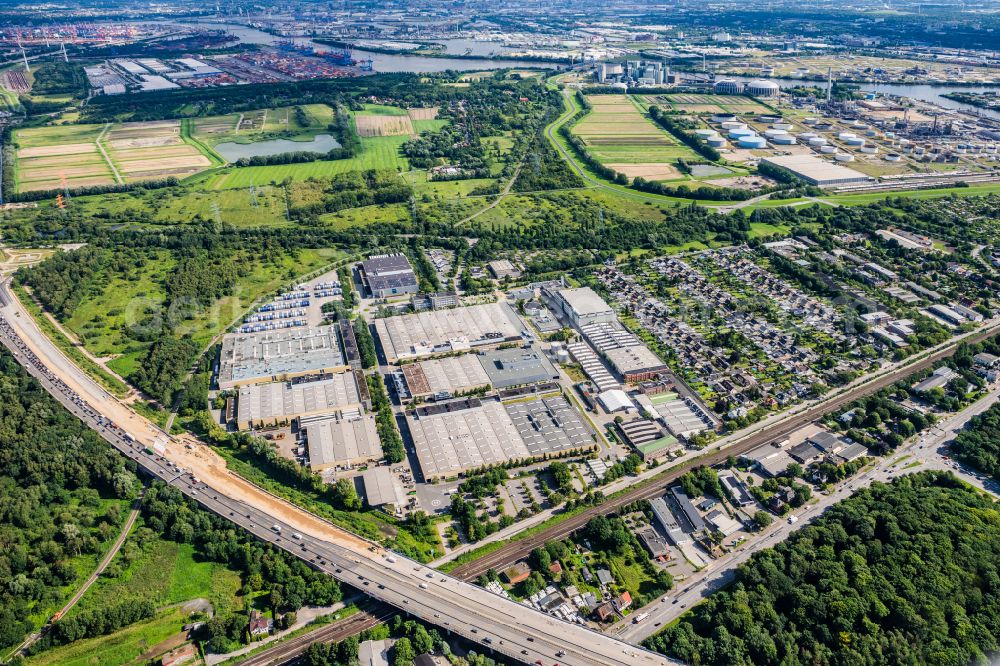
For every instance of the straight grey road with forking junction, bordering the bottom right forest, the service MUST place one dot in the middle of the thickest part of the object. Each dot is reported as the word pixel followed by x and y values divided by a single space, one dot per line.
pixel 922 452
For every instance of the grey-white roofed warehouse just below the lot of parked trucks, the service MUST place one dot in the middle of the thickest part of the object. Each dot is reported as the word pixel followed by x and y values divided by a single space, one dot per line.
pixel 255 358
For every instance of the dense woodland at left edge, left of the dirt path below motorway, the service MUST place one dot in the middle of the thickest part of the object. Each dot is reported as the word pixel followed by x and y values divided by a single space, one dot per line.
pixel 56 480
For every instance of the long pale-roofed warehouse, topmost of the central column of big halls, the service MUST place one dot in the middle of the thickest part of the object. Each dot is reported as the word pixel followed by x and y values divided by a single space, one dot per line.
pixel 441 331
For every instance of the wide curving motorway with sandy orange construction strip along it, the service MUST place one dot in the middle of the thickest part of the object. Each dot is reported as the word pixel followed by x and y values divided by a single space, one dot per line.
pixel 508 628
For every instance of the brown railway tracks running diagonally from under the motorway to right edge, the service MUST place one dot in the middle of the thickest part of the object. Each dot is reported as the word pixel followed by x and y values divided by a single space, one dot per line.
pixel 658 485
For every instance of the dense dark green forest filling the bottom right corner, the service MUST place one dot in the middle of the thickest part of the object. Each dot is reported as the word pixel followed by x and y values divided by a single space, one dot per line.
pixel 906 573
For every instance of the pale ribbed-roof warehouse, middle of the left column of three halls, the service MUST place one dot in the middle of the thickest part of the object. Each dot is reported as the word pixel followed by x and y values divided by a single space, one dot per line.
pixel 261 405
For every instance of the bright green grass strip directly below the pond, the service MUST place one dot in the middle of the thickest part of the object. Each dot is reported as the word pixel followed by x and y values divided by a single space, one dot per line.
pixel 376 153
